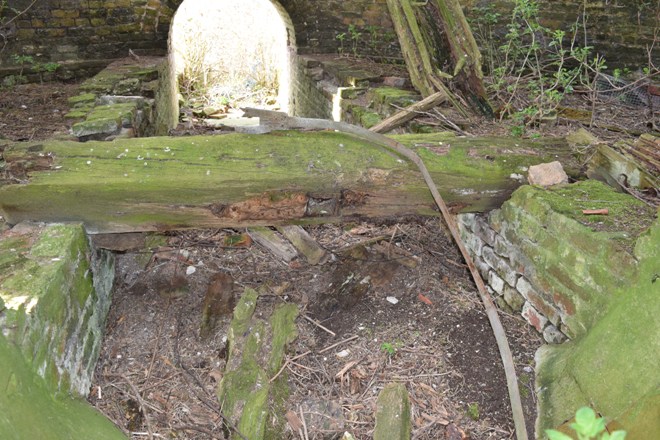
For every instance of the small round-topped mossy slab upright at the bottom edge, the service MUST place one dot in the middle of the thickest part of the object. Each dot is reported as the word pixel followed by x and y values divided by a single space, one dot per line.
pixel 393 413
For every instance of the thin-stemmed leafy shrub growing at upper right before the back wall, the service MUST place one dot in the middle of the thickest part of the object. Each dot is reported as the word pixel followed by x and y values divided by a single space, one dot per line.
pixel 535 67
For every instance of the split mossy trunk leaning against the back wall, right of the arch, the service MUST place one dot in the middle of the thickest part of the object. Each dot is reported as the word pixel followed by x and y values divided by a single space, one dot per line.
pixel 431 34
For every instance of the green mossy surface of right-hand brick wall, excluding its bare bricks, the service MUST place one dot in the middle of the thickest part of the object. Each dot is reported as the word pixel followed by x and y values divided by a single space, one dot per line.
pixel 576 261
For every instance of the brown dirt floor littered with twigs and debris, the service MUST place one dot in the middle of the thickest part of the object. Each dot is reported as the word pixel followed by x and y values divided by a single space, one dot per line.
pixel 156 377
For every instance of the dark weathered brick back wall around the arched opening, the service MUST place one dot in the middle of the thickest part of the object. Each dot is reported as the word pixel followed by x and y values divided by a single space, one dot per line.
pixel 87 31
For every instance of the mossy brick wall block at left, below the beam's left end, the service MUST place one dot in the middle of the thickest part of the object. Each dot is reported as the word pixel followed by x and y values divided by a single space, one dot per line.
pixel 55 295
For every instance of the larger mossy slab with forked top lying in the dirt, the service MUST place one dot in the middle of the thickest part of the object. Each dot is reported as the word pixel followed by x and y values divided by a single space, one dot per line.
pixel 257 345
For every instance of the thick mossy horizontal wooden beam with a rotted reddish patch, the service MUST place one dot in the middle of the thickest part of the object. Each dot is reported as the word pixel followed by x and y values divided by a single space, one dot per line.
pixel 239 180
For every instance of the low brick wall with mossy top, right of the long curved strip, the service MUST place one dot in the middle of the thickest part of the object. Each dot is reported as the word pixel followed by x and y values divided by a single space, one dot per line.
pixel 543 263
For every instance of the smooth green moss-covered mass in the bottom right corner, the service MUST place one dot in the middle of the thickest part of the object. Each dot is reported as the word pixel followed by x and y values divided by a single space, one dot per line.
pixel 613 367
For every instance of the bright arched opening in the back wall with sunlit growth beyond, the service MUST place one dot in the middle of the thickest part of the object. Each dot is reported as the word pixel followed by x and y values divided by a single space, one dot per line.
pixel 231 53
